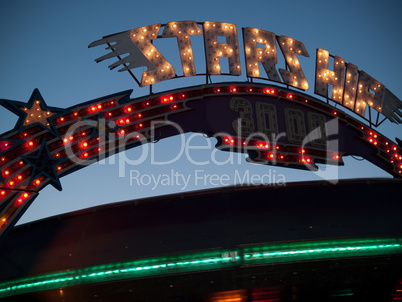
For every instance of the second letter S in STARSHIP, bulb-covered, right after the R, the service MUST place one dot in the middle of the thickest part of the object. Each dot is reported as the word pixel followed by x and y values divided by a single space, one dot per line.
pixel 295 77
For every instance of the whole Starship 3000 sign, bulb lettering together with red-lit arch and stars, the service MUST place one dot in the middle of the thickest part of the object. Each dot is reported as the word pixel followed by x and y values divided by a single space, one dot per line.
pixel 273 124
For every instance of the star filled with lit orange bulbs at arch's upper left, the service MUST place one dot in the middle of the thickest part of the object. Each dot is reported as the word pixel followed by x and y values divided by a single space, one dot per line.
pixel 35 112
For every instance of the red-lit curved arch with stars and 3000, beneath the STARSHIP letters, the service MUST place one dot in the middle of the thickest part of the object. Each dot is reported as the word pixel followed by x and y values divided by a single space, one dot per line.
pixel 274 125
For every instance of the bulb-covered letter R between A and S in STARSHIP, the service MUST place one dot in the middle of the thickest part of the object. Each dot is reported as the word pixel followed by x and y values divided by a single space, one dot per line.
pixel 267 55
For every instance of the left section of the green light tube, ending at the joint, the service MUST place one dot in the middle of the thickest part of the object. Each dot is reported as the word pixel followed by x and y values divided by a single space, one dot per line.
pixel 122 270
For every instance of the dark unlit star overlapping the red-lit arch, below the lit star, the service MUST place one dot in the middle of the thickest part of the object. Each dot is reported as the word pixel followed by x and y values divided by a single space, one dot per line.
pixel 44 164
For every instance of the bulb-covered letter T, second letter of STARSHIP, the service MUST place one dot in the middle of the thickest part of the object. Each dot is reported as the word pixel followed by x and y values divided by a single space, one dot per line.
pixel 182 31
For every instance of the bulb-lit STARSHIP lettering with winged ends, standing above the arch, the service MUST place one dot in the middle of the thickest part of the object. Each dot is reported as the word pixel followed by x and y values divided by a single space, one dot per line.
pixel 352 88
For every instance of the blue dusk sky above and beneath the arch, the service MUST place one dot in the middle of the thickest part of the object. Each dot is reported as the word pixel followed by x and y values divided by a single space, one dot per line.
pixel 45 46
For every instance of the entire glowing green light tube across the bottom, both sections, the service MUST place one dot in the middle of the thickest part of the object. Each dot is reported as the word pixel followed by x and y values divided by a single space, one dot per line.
pixel 199 261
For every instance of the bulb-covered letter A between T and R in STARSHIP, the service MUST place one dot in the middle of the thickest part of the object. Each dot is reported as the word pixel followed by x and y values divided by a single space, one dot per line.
pixel 215 50
